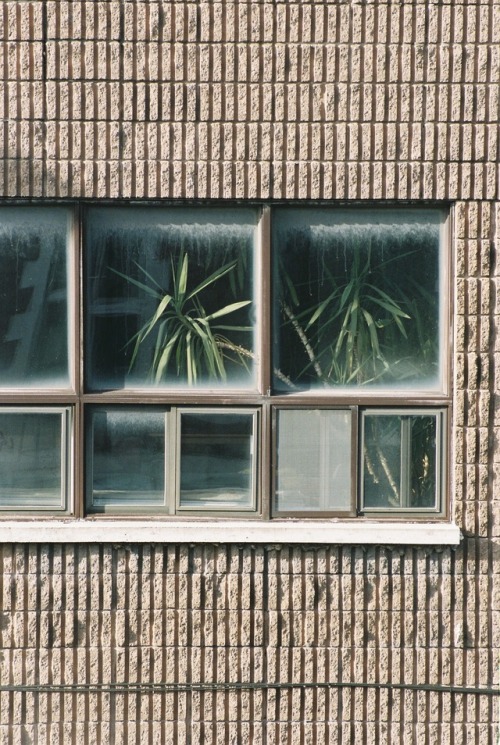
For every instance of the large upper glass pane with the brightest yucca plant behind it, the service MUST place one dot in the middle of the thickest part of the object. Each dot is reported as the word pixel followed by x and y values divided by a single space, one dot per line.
pixel 170 297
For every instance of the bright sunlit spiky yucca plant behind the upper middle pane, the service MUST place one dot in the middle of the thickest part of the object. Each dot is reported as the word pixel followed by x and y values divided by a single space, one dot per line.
pixel 189 341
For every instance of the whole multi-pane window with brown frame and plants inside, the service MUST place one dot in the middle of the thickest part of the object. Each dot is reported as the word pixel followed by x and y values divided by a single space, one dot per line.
pixel 224 361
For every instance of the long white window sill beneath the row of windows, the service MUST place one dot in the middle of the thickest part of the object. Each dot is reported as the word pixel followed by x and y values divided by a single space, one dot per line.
pixel 229 531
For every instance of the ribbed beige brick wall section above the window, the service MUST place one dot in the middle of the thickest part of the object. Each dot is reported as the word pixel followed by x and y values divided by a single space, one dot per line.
pixel 124 98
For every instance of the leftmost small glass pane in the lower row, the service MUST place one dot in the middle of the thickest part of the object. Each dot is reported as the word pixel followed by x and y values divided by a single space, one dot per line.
pixel 30 461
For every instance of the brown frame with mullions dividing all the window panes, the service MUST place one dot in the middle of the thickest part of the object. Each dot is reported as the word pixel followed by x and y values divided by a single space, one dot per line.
pixel 262 397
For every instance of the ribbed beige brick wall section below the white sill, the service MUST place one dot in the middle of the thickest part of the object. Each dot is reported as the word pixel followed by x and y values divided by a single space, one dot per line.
pixel 227 614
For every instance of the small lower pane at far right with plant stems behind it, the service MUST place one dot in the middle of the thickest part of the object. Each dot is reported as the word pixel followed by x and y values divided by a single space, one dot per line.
pixel 401 461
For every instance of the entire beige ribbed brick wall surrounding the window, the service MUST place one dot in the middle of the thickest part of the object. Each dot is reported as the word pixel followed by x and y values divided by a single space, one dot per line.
pixel 266 100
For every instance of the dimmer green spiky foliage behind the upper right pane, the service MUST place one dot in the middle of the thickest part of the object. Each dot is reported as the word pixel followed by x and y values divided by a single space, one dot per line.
pixel 352 333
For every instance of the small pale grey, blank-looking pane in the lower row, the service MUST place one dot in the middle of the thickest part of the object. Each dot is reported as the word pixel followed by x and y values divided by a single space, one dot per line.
pixel 313 461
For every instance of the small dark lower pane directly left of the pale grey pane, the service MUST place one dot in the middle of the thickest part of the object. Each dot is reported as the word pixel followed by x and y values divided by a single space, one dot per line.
pixel 217 461
